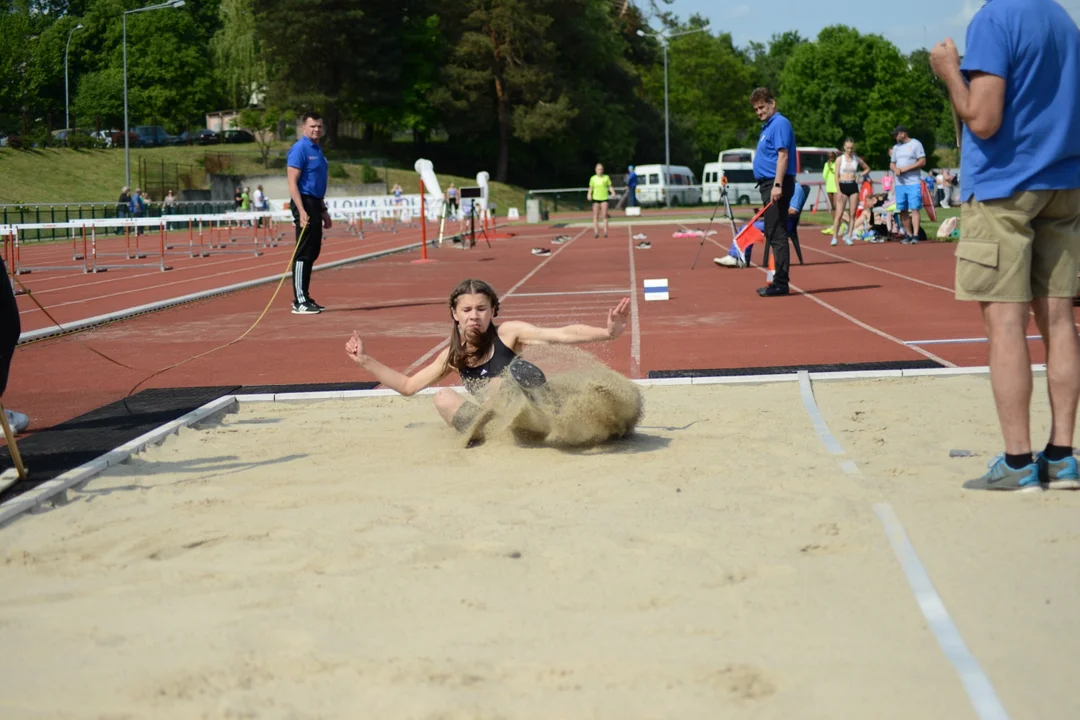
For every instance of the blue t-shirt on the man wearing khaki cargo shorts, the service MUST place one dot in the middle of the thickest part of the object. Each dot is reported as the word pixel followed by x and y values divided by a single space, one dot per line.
pixel 1035 46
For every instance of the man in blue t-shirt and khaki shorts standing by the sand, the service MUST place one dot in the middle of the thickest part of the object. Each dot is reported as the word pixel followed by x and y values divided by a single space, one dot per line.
pixel 1018 92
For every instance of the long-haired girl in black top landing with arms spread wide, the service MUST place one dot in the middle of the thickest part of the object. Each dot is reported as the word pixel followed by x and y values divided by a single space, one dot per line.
pixel 480 351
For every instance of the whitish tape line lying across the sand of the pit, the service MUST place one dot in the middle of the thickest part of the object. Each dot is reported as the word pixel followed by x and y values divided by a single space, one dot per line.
pixel 976 683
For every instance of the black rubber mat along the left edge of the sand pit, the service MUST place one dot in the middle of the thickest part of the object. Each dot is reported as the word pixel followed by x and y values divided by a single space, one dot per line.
pixel 51 453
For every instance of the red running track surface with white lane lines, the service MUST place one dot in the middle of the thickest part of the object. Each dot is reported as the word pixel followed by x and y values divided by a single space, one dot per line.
pixel 854 305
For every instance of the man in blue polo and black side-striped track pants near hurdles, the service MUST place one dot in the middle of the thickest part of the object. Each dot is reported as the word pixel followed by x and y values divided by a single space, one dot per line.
pixel 308 173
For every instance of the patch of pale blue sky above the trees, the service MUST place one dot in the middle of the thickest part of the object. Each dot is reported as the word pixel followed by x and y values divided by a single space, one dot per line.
pixel 909 24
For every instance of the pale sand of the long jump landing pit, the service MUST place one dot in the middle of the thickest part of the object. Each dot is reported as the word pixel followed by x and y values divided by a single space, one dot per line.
pixel 350 560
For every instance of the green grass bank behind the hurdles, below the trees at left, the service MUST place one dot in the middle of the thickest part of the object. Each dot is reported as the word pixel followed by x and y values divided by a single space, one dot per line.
pixel 72 176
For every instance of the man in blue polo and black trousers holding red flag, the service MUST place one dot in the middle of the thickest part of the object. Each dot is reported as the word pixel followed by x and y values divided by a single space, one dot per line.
pixel 775 174
